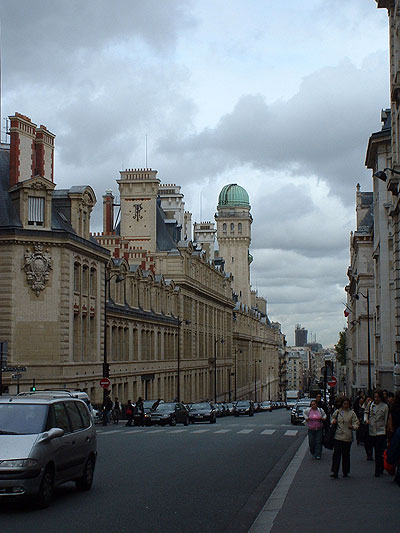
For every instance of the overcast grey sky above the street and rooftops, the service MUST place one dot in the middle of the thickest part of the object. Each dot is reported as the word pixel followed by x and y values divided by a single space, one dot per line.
pixel 279 97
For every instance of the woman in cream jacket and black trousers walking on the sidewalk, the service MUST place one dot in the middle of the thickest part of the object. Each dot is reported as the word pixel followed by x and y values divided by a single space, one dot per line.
pixel 346 421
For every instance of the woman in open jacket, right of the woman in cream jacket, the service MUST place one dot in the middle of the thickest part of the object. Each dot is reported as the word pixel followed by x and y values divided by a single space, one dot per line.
pixel 376 418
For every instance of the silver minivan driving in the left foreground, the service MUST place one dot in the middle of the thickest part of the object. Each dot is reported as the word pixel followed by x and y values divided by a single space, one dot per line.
pixel 45 440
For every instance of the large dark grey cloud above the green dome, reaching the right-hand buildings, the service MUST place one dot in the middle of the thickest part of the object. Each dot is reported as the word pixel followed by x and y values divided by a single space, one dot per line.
pixel 322 130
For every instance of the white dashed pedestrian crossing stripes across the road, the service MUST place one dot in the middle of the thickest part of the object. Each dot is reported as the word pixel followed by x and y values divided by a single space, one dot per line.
pixel 198 431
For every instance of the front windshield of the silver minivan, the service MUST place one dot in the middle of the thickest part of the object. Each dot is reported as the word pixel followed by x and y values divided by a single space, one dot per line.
pixel 22 419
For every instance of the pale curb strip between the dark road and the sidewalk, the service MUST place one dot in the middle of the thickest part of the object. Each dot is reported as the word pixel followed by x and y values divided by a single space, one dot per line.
pixel 265 520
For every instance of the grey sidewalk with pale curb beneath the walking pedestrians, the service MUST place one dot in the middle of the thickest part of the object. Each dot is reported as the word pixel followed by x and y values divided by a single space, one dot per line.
pixel 317 503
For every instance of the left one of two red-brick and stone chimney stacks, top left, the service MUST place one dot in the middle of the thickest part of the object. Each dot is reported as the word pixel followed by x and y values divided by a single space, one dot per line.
pixel 22 148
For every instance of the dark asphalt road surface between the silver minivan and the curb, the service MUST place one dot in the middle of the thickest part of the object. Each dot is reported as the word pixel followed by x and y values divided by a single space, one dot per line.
pixel 201 478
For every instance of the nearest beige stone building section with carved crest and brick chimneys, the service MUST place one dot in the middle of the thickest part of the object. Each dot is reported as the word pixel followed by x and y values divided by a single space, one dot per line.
pixel 52 291
